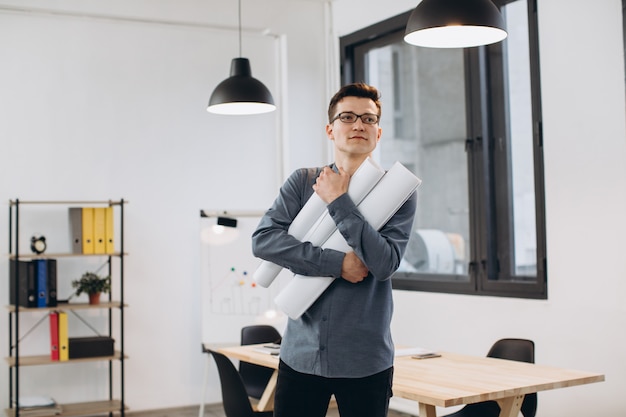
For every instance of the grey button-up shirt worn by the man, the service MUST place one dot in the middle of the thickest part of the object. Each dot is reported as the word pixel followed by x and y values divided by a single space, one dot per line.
pixel 346 332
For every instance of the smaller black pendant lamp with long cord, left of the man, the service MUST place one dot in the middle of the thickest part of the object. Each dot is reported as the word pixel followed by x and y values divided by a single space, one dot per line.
pixel 241 93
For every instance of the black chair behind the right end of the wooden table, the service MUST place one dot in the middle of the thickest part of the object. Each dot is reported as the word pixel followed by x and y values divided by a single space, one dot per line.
pixel 521 350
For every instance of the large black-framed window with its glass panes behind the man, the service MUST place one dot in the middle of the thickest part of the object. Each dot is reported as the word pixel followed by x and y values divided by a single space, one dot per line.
pixel 468 123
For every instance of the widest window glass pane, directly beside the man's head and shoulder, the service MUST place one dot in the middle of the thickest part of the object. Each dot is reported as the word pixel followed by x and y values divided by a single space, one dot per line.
pixel 424 128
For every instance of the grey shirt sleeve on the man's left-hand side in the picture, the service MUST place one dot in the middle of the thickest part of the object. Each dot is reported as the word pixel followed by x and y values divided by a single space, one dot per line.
pixel 272 242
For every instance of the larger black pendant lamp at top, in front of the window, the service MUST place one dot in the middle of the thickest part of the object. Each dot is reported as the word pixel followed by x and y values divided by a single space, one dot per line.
pixel 455 24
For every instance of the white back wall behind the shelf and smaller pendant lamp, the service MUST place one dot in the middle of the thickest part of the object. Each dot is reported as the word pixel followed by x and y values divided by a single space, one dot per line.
pixel 107 100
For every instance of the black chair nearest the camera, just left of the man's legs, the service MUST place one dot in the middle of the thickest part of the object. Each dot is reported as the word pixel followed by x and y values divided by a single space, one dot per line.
pixel 234 395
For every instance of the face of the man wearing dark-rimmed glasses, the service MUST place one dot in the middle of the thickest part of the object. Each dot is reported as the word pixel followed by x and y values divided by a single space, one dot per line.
pixel 358 138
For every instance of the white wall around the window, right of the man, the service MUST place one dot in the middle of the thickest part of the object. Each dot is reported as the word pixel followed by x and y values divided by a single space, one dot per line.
pixel 579 326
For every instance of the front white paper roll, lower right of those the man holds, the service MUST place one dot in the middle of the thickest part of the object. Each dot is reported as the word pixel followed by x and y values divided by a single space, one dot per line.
pixel 391 192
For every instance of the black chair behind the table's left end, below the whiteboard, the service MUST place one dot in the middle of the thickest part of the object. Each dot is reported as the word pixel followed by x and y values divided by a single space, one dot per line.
pixel 255 377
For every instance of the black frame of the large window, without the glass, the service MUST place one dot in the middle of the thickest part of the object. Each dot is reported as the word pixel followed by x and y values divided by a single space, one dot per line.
pixel 490 211
